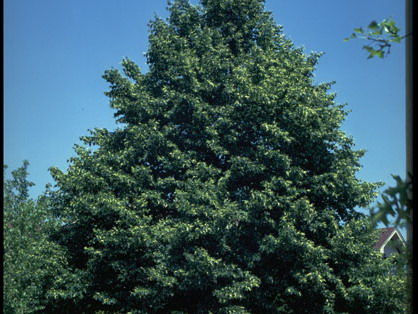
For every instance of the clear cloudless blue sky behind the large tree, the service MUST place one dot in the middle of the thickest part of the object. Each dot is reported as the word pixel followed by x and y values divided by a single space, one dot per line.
pixel 56 51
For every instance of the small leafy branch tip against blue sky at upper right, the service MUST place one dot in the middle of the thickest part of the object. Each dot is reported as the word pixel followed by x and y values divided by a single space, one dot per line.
pixel 380 36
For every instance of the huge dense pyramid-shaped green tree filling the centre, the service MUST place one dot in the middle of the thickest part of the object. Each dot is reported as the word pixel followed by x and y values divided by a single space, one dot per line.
pixel 228 187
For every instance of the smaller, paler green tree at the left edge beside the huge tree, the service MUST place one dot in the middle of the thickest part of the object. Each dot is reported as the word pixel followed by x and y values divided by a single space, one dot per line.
pixel 34 268
